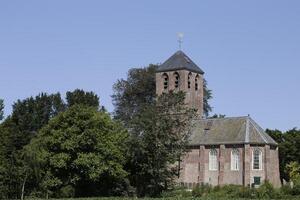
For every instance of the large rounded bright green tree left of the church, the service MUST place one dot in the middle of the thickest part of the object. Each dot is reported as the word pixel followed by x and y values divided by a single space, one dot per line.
pixel 83 151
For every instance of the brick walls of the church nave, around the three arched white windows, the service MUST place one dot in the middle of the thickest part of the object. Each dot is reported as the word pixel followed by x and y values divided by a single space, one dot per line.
pixel 195 169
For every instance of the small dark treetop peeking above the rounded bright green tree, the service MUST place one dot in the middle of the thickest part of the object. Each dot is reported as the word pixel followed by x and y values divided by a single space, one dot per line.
pixel 81 97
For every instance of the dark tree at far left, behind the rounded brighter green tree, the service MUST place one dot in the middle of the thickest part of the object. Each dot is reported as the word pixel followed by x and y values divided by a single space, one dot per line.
pixel 27 117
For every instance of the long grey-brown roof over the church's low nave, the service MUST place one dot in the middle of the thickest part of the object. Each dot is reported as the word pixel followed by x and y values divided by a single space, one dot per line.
pixel 234 130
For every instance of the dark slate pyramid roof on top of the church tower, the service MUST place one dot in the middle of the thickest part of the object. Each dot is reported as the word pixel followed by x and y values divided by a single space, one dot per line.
pixel 179 61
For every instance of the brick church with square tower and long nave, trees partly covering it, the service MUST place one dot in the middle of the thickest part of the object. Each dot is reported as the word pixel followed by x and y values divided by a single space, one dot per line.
pixel 233 150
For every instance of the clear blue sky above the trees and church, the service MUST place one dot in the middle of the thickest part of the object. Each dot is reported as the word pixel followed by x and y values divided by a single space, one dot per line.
pixel 249 50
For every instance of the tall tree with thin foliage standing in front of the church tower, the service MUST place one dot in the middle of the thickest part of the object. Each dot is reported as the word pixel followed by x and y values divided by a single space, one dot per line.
pixel 159 136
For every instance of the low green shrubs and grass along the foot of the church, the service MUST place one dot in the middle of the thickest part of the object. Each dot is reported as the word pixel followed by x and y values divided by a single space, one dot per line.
pixel 206 192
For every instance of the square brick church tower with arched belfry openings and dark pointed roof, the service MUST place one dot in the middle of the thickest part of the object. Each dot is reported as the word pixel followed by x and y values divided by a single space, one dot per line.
pixel 180 73
